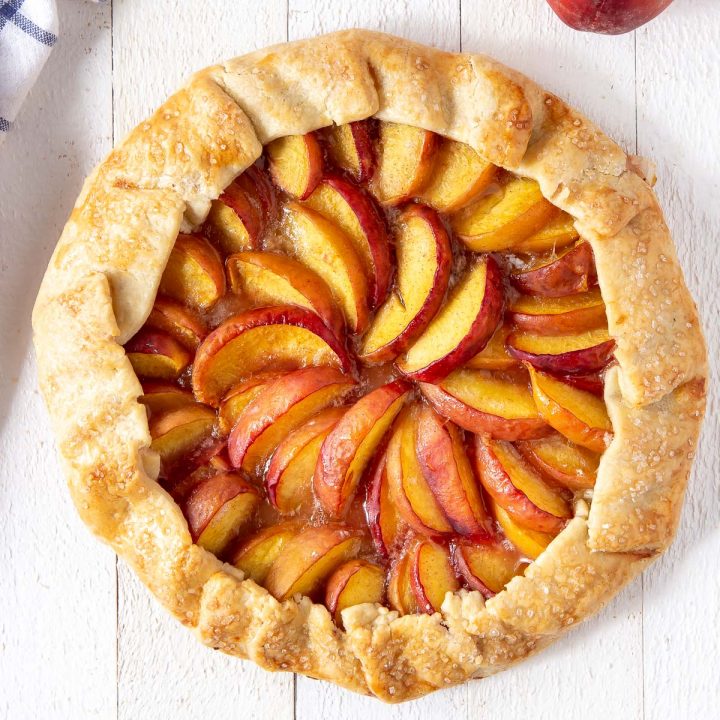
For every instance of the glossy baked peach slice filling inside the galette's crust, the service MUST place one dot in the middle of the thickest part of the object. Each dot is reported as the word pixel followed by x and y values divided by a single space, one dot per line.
pixel 375 374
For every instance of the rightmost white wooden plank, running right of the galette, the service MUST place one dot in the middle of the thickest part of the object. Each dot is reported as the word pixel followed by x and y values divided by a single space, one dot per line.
pixel 678 82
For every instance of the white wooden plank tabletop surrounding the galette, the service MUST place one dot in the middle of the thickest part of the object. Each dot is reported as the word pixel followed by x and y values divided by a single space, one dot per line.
pixel 79 636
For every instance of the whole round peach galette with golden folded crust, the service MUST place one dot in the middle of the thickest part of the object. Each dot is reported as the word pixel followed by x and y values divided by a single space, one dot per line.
pixel 375 362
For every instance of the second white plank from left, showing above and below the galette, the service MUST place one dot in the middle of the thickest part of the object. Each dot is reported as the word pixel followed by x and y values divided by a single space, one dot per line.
pixel 162 669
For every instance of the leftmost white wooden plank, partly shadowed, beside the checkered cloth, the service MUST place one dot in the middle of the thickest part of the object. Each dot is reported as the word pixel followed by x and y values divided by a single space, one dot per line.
pixel 57 626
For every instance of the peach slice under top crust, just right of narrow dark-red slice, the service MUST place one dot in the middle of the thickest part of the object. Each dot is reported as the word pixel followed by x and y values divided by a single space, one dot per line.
pixel 405 161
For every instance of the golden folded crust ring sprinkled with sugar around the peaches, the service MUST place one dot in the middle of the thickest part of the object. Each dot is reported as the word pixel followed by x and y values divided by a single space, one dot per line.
pixel 102 279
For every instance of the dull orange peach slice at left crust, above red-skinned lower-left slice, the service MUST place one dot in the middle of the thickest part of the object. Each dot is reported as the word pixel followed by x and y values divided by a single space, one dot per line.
pixel 177 433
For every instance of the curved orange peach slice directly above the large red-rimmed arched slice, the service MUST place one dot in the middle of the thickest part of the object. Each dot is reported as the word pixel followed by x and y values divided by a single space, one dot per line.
pixel 271 279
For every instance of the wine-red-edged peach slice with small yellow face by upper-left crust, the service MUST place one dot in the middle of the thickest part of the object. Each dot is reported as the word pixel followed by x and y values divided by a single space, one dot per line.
pixel 236 219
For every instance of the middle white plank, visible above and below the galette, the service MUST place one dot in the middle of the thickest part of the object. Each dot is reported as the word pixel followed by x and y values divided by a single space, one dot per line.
pixel 436 23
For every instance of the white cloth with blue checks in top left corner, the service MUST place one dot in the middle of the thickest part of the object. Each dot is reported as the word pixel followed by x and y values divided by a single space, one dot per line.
pixel 28 30
